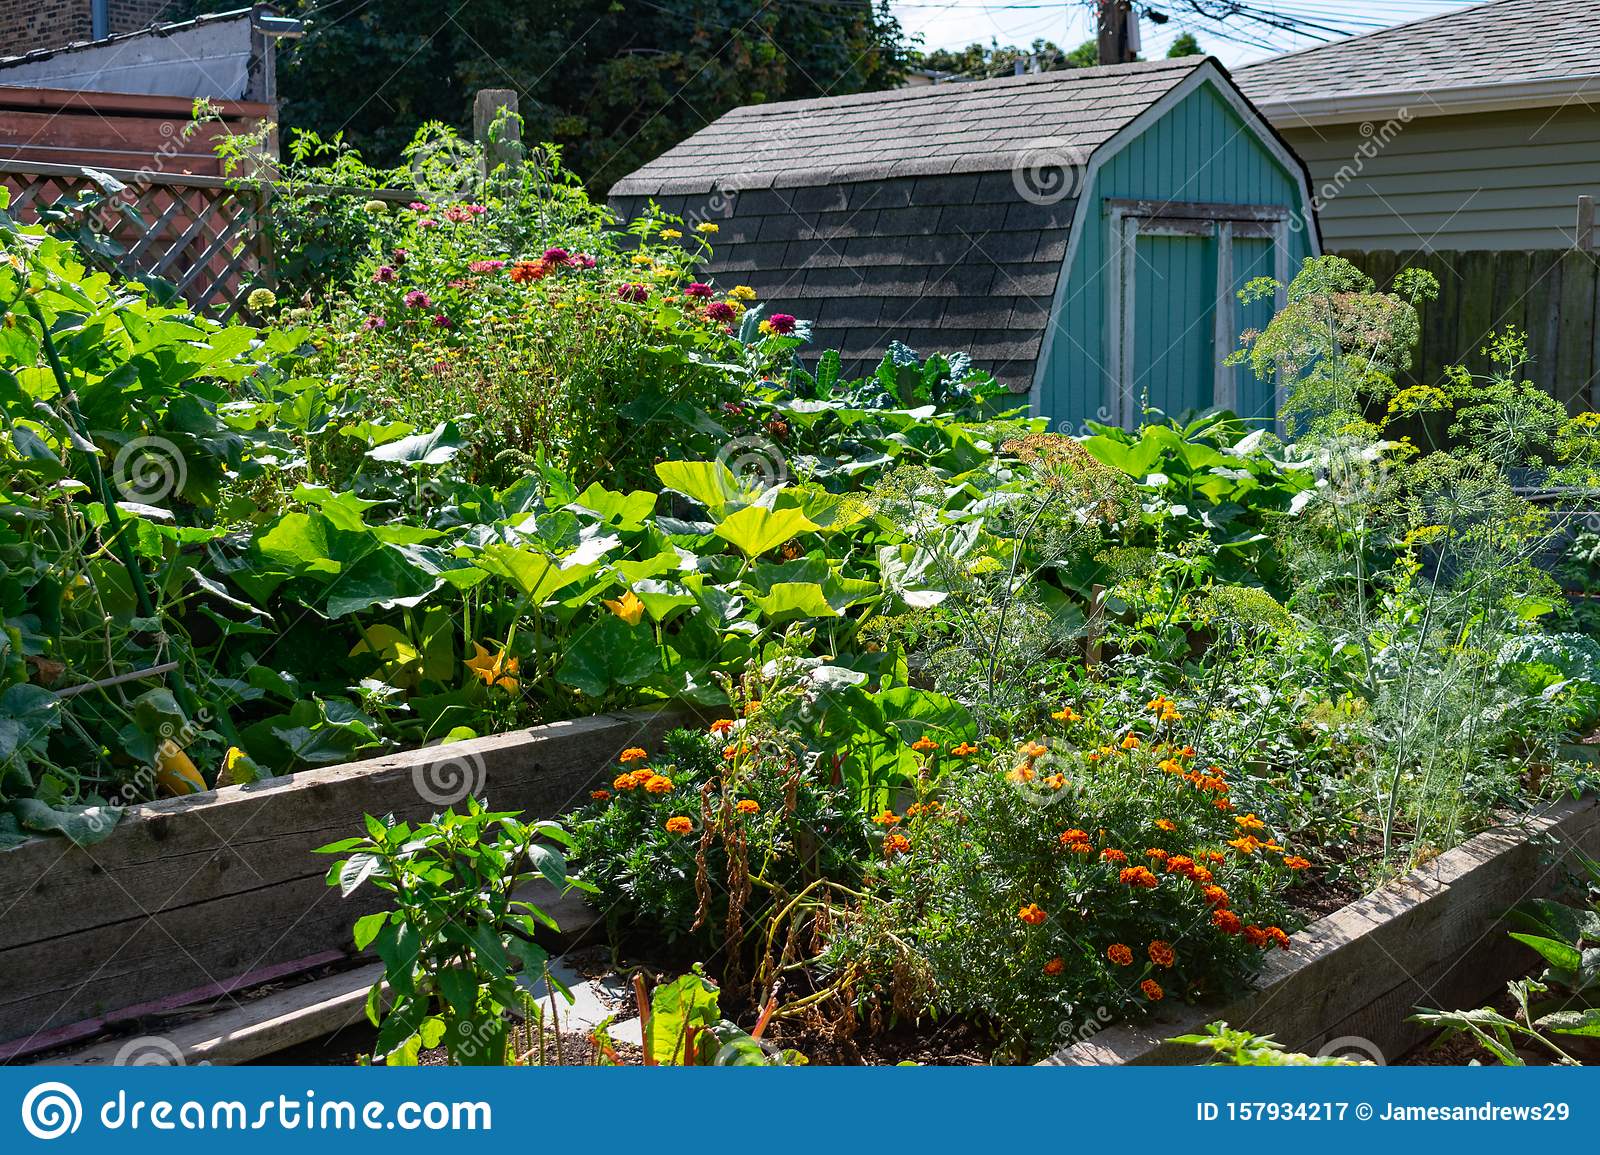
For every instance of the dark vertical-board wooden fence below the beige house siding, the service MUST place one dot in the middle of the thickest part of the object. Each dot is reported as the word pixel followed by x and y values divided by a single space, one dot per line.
pixel 1551 295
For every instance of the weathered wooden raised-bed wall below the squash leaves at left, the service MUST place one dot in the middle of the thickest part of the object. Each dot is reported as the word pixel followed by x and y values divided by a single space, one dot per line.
pixel 190 893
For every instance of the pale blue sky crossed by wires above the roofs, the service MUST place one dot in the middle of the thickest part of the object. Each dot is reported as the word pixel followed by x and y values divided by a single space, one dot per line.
pixel 959 23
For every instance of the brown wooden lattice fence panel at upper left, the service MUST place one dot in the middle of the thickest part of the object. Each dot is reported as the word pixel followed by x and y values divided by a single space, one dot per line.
pixel 202 236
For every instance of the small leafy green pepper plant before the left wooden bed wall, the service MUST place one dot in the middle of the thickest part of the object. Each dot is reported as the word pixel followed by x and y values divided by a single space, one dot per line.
pixel 457 932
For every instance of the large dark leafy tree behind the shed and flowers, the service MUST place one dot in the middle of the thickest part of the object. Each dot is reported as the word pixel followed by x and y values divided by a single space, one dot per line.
pixel 615 82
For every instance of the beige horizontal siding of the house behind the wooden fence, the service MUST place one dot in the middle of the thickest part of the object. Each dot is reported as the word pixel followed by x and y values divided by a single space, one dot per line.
pixel 1489 182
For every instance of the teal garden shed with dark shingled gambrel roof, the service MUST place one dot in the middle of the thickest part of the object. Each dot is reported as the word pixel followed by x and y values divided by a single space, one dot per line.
pixel 1082 234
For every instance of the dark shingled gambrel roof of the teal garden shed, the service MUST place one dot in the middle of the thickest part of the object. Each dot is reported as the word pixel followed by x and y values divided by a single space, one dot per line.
pixel 898 215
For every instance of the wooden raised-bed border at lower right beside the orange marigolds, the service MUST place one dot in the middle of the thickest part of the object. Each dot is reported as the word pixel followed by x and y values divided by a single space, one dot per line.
pixel 1434 938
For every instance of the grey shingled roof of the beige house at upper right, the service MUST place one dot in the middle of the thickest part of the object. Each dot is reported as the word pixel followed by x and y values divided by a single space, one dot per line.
pixel 1503 44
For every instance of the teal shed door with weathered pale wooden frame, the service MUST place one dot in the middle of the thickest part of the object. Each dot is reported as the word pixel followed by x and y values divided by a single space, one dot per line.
pixel 1174 311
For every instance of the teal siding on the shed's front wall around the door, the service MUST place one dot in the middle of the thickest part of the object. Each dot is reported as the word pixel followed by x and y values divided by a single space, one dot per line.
pixel 1199 151
